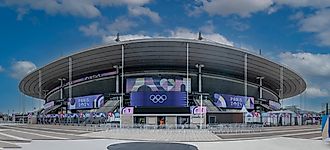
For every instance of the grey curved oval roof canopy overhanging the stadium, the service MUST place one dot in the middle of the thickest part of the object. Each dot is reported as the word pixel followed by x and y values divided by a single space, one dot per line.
pixel 167 53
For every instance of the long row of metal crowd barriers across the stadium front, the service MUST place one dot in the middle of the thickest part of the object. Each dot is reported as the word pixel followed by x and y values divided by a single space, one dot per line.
pixel 101 124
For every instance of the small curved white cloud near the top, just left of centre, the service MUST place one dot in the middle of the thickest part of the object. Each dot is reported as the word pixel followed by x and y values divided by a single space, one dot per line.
pixel 143 11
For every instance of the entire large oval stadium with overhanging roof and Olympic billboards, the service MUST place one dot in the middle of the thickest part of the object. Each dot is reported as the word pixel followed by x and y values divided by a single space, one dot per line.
pixel 160 81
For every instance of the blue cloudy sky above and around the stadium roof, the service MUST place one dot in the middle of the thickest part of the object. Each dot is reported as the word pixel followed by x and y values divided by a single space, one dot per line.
pixel 295 33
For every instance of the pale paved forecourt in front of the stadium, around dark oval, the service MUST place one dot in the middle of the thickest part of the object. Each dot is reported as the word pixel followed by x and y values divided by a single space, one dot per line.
pixel 44 136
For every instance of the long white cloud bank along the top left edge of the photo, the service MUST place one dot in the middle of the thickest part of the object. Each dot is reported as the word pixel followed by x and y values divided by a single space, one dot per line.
pixel 81 8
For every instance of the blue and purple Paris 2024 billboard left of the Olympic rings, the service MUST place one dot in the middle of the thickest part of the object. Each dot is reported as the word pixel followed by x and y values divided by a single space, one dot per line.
pixel 86 102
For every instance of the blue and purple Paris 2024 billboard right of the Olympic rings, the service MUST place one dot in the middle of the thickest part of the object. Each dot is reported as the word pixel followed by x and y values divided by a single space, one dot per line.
pixel 233 101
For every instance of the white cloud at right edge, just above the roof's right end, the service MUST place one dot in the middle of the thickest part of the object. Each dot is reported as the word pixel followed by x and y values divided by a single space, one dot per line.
pixel 307 63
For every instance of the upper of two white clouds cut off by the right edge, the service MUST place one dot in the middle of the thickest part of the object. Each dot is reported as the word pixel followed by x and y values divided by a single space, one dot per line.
pixel 319 24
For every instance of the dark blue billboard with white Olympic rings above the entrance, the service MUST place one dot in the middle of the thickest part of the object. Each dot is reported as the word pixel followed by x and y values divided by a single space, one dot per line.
pixel 159 98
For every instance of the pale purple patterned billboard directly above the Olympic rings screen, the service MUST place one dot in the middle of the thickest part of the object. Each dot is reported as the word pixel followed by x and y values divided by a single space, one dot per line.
pixel 147 84
